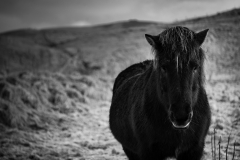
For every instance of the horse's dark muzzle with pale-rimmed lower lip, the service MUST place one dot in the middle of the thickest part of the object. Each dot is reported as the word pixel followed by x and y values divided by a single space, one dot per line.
pixel 181 122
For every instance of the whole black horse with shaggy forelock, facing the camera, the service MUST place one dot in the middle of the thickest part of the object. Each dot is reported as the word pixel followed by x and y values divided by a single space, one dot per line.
pixel 159 107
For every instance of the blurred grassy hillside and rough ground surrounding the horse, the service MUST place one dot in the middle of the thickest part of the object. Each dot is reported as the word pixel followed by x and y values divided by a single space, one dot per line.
pixel 56 85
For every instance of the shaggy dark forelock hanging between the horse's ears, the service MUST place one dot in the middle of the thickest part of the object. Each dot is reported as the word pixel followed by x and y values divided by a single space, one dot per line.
pixel 177 44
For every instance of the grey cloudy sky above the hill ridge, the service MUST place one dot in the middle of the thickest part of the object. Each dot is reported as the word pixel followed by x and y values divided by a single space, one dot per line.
pixel 16 14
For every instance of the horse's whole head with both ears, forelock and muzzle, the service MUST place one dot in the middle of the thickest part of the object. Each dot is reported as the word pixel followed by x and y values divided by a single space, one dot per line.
pixel 178 64
